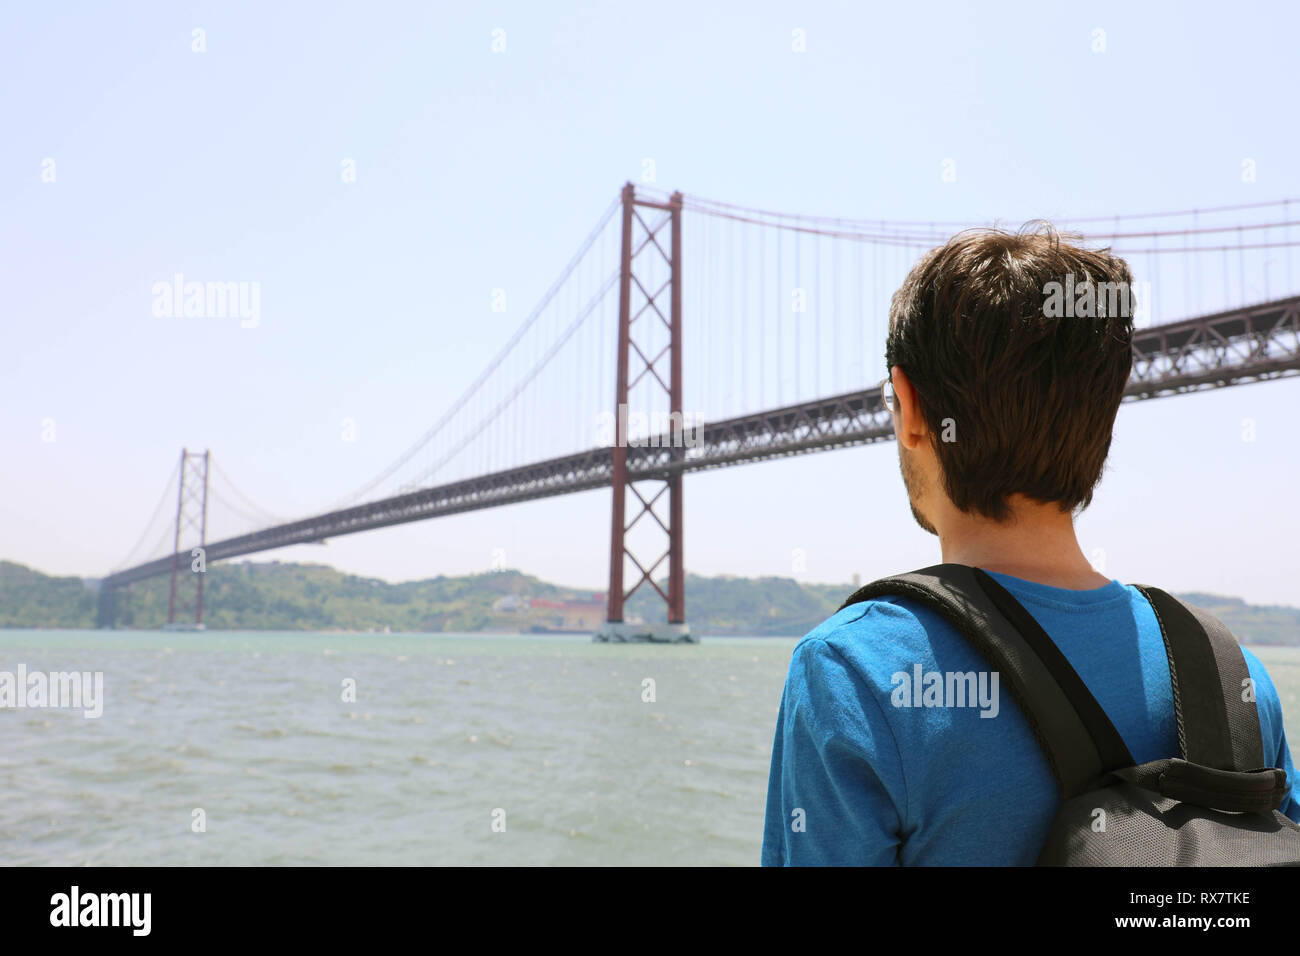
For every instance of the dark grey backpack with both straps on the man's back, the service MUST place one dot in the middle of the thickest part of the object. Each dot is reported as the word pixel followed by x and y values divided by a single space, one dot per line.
pixel 1215 806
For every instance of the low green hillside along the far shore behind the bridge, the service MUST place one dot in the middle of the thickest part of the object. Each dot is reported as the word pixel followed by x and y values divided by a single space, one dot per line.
pixel 274 596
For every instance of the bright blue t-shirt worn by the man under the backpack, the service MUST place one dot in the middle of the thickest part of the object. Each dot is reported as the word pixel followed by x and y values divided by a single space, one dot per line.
pixel 864 773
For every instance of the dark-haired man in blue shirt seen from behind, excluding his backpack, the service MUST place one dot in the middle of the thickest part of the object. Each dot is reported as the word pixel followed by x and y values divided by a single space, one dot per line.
pixel 1004 403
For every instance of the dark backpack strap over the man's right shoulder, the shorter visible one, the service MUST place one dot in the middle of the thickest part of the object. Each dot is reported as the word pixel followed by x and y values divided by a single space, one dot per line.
pixel 1221 729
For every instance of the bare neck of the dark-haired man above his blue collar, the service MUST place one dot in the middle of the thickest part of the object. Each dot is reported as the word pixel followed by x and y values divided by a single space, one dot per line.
pixel 1038 546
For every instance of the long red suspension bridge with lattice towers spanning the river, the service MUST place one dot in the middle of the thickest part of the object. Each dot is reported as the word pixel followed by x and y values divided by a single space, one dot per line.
pixel 688 334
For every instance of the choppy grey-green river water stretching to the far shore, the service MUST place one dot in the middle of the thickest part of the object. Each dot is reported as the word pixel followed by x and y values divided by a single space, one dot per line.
pixel 447 733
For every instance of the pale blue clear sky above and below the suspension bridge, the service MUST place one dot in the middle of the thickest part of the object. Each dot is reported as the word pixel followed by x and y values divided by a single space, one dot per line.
pixel 486 141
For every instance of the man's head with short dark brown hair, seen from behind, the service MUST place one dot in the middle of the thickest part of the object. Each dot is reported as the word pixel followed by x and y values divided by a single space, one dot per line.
pixel 1009 356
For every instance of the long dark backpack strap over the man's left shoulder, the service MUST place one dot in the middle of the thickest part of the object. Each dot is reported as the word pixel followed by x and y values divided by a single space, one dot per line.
pixel 1074 733
